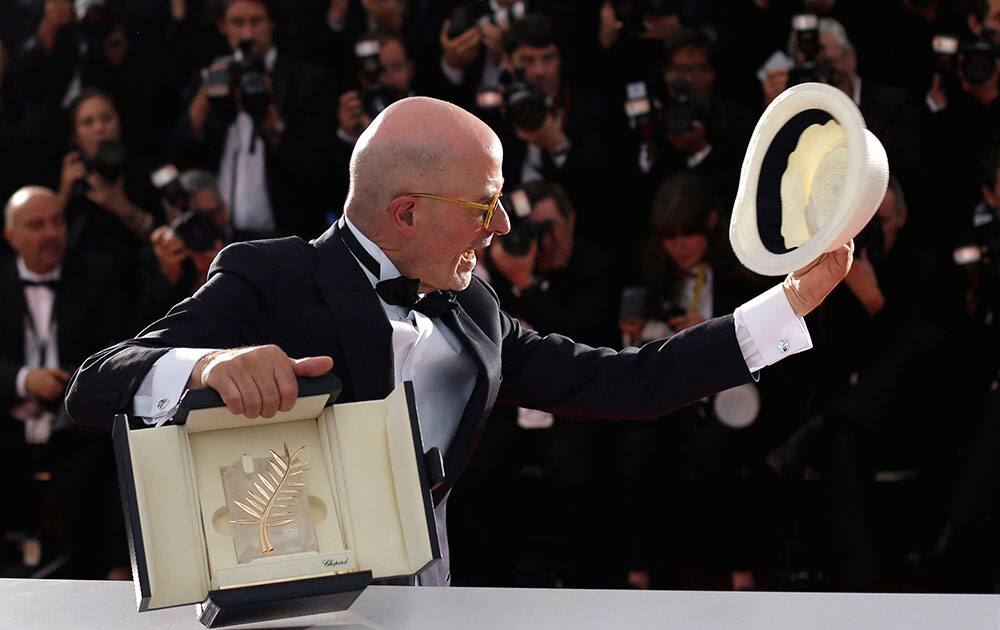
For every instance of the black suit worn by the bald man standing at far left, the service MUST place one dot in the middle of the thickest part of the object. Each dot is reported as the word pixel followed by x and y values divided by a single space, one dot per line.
pixel 88 312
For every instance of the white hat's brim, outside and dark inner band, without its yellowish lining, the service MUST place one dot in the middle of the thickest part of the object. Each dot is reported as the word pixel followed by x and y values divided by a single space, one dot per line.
pixel 758 199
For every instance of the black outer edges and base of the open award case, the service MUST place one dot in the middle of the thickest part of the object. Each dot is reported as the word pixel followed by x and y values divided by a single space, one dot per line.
pixel 282 599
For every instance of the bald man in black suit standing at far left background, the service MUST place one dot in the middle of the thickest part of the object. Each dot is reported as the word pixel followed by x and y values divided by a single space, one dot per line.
pixel 57 310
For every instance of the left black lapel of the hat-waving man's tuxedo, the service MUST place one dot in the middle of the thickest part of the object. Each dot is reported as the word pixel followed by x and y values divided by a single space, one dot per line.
pixel 363 328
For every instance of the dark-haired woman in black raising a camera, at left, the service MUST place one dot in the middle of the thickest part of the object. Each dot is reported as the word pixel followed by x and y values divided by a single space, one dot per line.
pixel 108 202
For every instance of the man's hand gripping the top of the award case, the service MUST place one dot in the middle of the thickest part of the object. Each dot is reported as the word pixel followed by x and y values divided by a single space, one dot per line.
pixel 255 381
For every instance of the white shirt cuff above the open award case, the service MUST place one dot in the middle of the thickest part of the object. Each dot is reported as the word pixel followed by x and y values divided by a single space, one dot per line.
pixel 160 392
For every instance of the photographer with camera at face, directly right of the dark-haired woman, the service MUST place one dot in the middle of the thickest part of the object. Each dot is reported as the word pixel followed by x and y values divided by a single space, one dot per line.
pixel 176 262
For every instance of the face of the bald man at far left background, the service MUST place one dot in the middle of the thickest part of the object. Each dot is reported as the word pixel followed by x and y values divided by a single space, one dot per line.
pixel 38 233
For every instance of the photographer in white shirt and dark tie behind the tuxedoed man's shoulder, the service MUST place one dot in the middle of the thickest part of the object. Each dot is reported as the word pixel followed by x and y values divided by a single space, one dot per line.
pixel 263 122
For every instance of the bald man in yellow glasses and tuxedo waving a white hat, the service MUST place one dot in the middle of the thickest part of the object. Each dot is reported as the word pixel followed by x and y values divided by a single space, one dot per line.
pixel 388 295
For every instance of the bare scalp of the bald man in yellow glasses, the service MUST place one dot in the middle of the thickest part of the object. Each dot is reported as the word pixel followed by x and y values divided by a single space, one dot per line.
pixel 417 144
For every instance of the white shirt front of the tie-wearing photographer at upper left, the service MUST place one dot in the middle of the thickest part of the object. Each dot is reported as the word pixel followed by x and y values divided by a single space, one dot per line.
pixel 243 172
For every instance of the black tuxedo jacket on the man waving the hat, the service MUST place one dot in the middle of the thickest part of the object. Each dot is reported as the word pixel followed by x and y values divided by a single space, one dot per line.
pixel 312 298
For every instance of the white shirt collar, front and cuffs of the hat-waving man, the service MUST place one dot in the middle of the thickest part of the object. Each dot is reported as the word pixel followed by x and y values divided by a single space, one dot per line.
pixel 426 352
